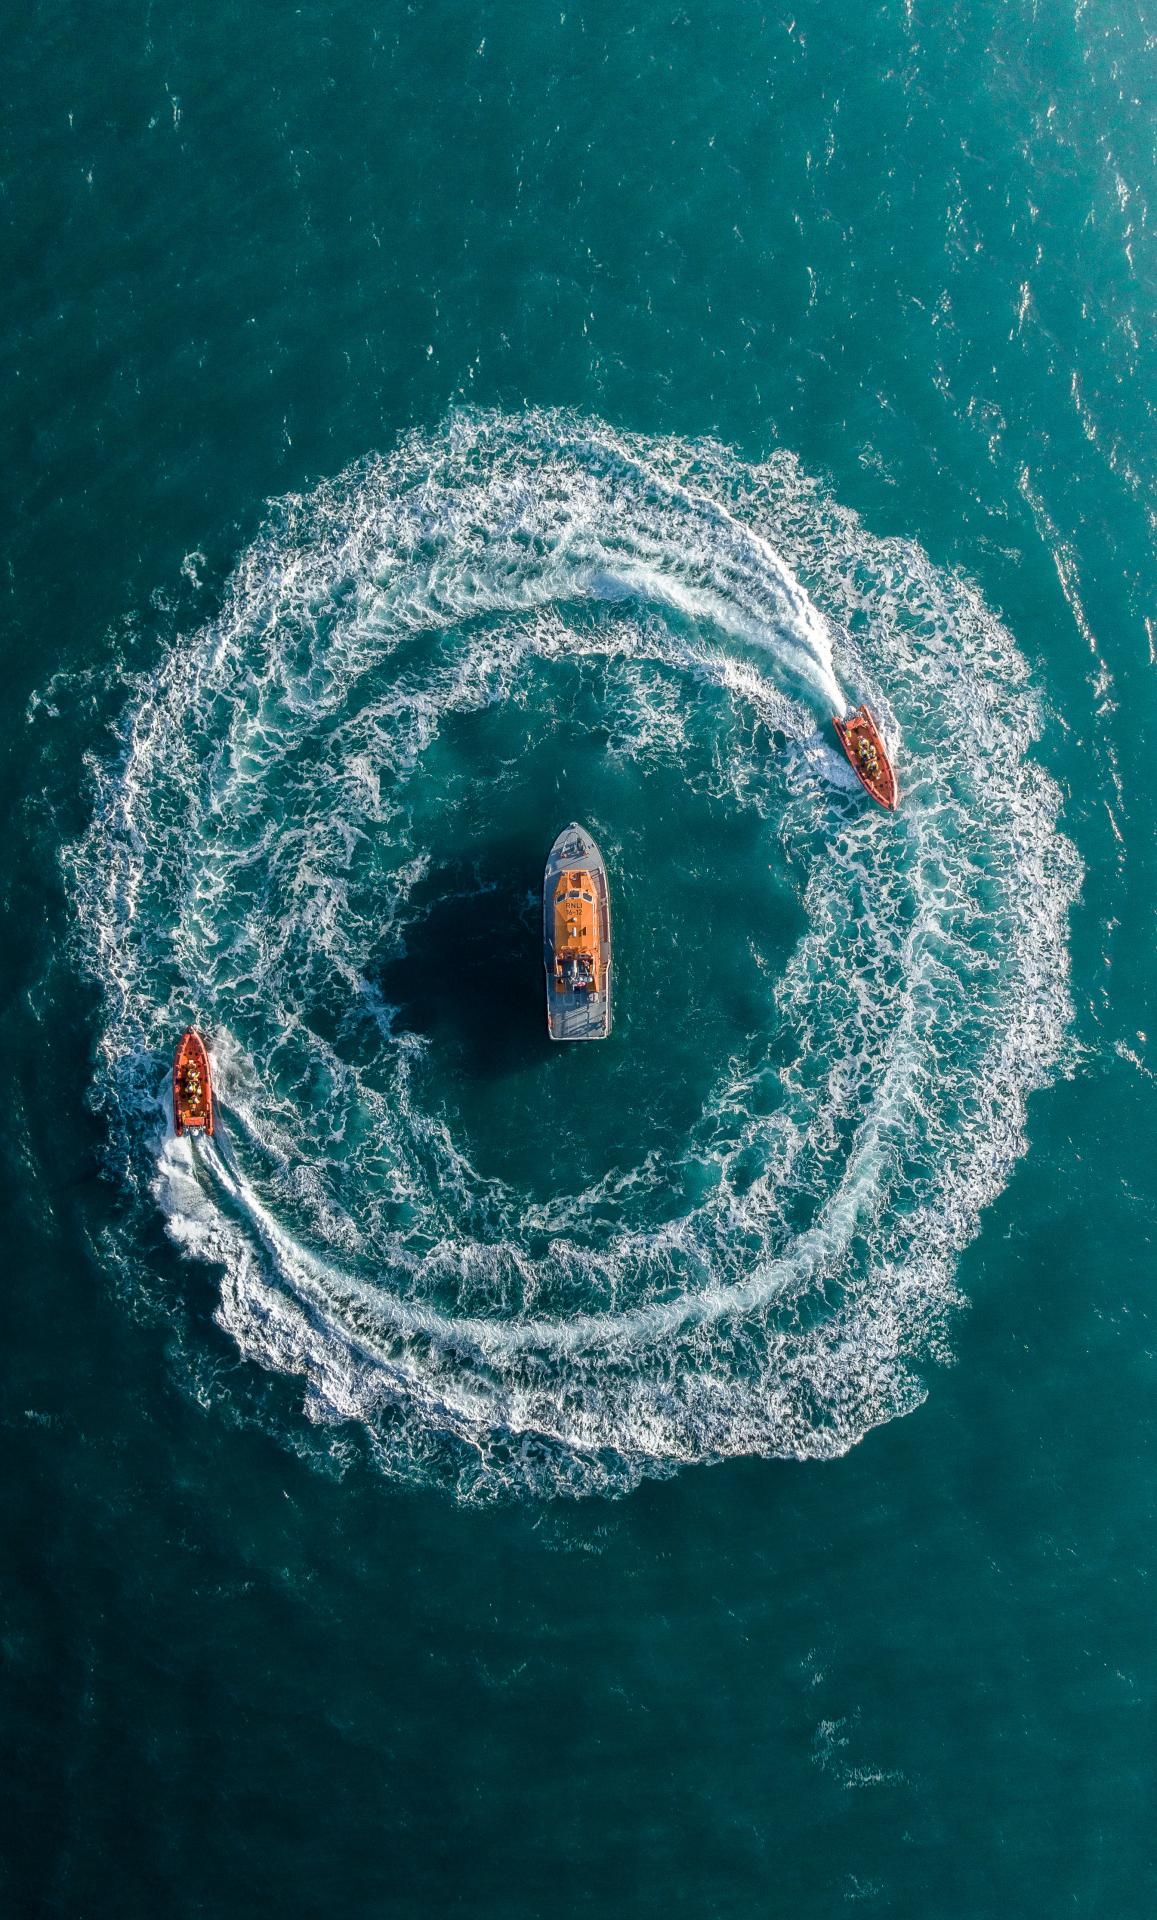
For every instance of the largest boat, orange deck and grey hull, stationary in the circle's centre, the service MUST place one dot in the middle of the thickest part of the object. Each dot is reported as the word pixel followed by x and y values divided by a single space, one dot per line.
pixel 577 940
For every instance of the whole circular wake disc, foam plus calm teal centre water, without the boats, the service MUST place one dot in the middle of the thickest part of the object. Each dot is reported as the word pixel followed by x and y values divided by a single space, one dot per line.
pixel 734 1228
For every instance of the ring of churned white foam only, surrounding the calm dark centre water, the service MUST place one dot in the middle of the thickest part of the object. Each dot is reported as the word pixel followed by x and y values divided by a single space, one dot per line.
pixel 795 1303
